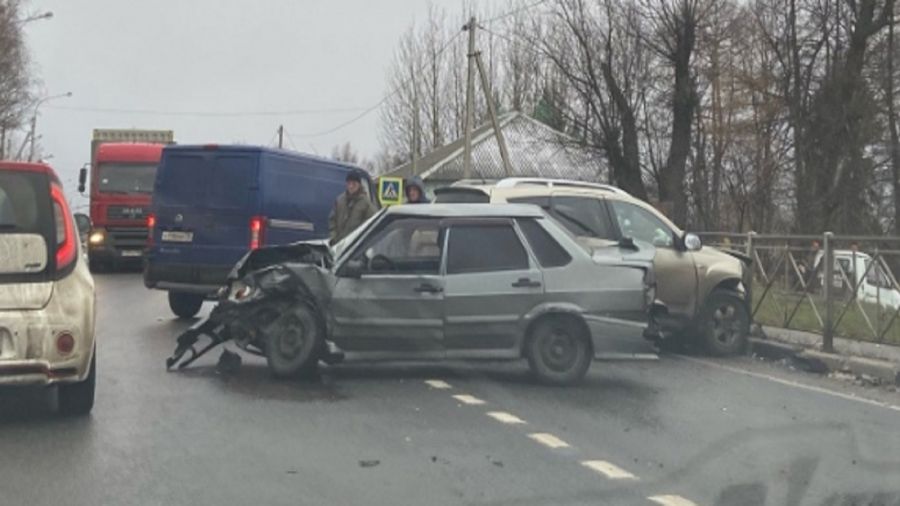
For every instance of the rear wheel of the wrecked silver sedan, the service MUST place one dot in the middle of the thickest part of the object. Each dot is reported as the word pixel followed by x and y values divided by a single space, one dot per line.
pixel 558 350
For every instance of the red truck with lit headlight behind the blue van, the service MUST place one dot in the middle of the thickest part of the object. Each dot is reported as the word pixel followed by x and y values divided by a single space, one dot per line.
pixel 123 170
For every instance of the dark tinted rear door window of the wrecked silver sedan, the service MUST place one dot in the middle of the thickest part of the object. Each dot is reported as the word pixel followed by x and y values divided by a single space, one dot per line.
pixel 485 248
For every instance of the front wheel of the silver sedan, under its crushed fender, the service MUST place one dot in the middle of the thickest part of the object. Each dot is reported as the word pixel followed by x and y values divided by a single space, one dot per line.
pixel 293 341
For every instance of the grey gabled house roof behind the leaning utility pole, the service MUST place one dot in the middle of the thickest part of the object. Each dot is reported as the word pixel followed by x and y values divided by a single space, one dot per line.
pixel 535 150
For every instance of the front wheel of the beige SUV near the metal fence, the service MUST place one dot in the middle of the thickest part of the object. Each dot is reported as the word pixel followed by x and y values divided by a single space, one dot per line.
pixel 724 324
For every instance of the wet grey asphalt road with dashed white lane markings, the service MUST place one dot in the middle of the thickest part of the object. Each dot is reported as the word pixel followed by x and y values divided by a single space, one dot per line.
pixel 673 431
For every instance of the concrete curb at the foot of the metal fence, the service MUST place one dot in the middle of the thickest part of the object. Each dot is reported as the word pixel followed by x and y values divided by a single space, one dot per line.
pixel 822 363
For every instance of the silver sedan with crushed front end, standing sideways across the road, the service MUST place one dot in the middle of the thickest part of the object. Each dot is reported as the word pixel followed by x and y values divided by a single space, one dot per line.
pixel 443 281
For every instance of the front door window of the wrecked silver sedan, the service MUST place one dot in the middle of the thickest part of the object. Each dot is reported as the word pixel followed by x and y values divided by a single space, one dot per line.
pixel 404 245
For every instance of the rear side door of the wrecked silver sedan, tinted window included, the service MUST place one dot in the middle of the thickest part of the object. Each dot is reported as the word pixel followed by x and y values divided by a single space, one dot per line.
pixel 490 284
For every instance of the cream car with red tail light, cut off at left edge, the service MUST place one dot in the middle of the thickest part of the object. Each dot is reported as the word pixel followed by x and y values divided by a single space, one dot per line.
pixel 47 299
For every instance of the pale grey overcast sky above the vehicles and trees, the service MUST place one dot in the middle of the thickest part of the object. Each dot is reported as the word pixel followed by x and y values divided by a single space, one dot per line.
pixel 216 56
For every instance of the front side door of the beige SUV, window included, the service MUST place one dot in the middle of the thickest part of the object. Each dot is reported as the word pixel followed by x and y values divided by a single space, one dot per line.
pixel 676 273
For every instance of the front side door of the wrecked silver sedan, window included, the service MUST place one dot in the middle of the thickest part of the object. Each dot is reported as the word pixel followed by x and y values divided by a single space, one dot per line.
pixel 395 302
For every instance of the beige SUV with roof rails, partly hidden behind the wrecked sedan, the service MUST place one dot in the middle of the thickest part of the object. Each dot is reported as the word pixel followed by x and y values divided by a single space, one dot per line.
pixel 704 289
